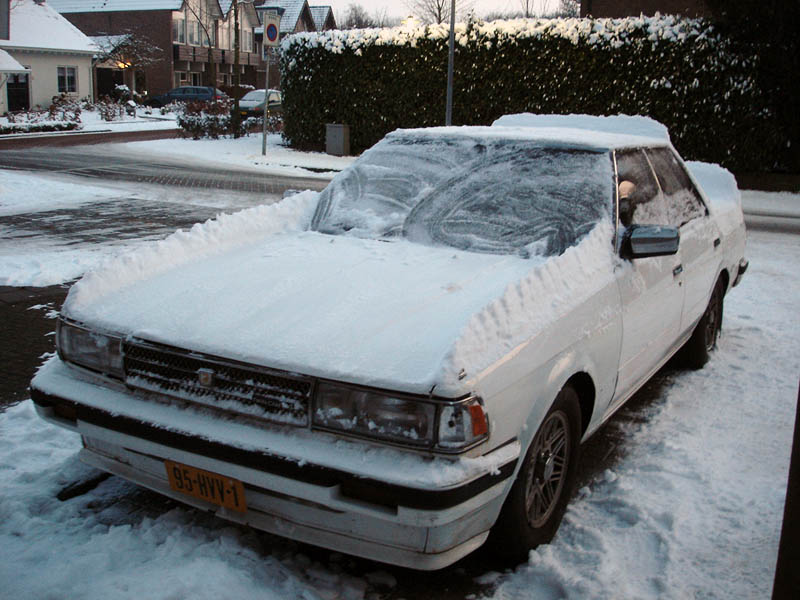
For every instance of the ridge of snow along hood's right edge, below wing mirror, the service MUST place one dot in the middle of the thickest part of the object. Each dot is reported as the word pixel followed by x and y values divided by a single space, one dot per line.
pixel 547 293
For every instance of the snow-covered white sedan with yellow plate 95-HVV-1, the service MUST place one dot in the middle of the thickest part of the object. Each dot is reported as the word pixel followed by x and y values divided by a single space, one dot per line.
pixel 407 362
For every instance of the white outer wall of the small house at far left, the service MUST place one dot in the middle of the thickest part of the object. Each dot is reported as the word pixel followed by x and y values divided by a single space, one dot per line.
pixel 44 75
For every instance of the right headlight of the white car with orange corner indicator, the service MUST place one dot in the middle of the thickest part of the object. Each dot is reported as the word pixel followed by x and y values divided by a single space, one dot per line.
pixel 452 427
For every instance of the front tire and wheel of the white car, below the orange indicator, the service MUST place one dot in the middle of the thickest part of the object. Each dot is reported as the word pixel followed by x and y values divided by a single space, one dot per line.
pixel 538 499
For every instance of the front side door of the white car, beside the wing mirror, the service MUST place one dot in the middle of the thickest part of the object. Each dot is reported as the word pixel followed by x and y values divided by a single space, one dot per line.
pixel 651 289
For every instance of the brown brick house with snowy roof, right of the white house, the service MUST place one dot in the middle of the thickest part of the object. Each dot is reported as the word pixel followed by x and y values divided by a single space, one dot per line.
pixel 196 38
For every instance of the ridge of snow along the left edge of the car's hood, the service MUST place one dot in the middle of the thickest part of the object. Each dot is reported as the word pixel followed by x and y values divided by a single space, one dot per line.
pixel 200 242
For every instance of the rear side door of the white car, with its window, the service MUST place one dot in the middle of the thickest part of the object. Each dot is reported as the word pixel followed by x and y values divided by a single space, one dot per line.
pixel 700 237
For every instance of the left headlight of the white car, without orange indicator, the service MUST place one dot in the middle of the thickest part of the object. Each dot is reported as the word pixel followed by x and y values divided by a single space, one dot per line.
pixel 89 349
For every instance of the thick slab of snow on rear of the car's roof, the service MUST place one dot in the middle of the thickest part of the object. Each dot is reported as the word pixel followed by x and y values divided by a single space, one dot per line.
pixel 617 124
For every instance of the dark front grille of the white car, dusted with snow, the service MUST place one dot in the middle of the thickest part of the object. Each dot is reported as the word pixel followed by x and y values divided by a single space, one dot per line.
pixel 217 383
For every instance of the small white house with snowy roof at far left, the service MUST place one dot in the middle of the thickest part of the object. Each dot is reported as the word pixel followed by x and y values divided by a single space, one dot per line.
pixel 55 58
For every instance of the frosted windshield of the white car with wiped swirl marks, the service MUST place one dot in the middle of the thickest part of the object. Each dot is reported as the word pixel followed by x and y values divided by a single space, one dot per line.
pixel 494 195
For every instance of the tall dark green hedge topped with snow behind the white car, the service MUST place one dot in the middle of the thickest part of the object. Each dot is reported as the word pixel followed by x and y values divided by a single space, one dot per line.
pixel 678 71
